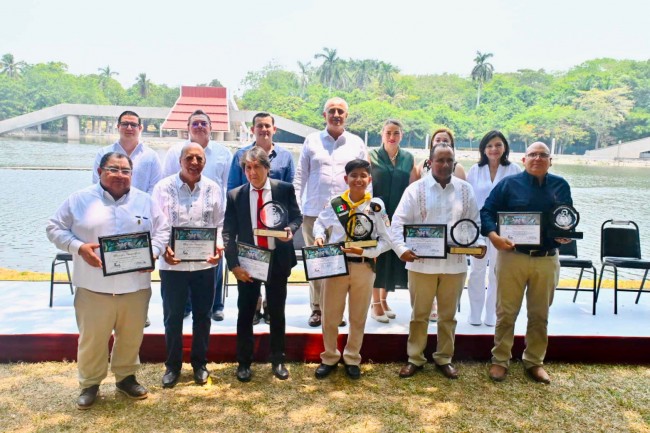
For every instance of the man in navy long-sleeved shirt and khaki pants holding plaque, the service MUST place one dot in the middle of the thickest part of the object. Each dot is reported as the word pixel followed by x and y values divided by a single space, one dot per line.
pixel 525 267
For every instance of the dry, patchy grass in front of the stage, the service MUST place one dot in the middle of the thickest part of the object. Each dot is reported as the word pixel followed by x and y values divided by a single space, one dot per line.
pixel 581 398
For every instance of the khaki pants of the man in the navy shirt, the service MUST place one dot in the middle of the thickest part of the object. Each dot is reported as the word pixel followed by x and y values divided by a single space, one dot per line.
pixel 536 277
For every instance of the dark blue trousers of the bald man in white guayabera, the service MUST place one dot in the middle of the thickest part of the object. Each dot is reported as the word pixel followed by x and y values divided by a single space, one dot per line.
pixel 174 288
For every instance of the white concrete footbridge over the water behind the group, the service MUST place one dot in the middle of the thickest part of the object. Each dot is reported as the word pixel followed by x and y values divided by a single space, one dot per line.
pixel 72 112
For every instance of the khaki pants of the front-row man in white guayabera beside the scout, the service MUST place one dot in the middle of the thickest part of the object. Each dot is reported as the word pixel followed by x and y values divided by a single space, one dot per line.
pixel 423 288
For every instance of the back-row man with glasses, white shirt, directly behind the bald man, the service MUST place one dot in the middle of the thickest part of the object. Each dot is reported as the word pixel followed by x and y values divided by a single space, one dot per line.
pixel 217 166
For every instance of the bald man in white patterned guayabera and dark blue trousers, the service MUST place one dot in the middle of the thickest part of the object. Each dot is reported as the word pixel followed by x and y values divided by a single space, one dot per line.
pixel 193 205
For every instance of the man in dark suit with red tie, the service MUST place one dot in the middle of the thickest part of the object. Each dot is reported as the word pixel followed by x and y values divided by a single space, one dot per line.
pixel 242 215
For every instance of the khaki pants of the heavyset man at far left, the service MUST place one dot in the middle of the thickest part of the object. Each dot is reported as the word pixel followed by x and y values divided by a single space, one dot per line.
pixel 100 315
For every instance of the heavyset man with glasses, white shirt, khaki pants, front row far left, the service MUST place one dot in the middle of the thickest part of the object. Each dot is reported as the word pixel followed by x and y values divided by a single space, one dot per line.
pixel 117 304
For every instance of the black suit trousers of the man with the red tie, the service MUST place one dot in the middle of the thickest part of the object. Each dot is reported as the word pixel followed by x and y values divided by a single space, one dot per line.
pixel 276 297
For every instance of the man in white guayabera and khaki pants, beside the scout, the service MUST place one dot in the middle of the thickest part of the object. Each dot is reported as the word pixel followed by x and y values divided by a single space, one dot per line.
pixel 421 225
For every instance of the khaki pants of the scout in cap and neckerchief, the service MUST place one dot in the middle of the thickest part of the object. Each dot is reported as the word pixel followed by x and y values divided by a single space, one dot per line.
pixel 357 287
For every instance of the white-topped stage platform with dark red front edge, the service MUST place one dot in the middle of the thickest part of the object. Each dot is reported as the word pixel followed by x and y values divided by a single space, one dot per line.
pixel 31 331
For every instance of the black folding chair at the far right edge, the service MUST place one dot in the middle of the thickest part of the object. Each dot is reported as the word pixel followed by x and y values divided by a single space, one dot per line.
pixel 620 247
